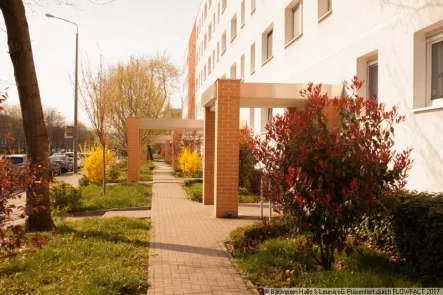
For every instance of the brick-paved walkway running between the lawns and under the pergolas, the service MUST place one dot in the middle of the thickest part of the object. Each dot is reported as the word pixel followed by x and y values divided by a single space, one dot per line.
pixel 186 257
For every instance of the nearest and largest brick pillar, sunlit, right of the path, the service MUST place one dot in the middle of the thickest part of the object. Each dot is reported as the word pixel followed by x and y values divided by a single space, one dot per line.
pixel 227 122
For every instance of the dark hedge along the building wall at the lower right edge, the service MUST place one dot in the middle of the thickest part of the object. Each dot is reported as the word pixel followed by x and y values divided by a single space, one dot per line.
pixel 413 229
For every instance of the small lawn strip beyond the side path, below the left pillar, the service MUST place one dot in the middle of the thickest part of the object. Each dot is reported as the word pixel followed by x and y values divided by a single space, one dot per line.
pixel 117 196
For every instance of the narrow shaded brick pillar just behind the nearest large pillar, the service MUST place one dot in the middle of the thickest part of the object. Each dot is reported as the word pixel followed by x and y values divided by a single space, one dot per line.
pixel 208 158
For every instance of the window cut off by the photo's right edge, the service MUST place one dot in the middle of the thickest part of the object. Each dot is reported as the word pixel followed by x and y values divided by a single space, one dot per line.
pixel 434 69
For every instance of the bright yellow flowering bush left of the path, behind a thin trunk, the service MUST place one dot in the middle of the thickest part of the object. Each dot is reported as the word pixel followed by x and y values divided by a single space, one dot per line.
pixel 92 164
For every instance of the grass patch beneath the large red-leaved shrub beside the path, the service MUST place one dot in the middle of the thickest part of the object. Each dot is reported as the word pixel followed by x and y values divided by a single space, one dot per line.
pixel 284 262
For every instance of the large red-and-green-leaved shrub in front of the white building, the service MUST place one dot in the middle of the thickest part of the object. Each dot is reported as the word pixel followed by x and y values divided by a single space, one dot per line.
pixel 329 164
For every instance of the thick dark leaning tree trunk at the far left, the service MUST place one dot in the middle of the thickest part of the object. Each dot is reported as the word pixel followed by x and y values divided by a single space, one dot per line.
pixel 20 50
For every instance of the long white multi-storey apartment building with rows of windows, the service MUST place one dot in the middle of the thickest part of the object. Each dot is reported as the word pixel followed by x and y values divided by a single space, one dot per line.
pixel 396 46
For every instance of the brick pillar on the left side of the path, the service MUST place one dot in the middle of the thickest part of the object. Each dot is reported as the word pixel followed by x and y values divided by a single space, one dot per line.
pixel 133 149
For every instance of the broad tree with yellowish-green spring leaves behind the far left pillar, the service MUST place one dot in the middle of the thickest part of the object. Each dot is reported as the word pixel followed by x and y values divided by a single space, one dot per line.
pixel 140 88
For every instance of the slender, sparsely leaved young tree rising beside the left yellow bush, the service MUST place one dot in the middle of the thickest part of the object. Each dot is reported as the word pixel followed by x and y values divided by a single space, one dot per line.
pixel 95 97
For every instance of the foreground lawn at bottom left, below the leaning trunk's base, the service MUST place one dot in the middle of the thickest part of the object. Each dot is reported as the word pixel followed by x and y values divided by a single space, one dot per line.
pixel 90 256
